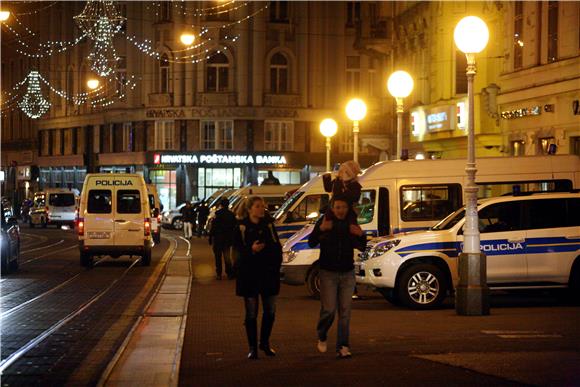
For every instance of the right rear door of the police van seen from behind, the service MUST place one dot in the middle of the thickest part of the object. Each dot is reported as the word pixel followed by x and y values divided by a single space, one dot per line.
pixel 129 218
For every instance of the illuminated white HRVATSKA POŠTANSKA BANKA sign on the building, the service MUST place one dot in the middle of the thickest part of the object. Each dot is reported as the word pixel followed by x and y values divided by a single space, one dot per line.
pixel 214 158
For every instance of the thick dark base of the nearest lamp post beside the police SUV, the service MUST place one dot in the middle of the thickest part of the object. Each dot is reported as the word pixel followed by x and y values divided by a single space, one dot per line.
pixel 472 293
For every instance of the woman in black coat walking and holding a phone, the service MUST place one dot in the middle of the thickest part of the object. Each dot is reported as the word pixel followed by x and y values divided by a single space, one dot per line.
pixel 258 271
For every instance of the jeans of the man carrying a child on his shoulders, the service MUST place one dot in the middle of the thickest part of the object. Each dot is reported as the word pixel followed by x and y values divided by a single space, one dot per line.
pixel 336 291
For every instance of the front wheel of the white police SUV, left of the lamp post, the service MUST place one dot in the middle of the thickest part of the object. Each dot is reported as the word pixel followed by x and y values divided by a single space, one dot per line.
pixel 422 286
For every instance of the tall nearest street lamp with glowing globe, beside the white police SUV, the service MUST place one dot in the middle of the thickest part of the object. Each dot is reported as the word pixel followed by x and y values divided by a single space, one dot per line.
pixel 472 298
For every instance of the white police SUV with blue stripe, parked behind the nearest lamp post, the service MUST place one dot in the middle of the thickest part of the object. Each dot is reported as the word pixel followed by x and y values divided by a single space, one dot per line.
pixel 530 241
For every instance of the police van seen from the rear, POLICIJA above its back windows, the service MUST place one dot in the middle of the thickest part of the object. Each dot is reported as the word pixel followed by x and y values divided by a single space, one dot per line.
pixel 114 217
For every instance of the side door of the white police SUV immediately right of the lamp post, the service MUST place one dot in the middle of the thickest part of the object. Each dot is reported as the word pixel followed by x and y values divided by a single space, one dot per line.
pixel 503 241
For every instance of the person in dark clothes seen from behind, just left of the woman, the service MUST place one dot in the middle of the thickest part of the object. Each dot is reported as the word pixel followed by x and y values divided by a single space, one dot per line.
pixel 221 236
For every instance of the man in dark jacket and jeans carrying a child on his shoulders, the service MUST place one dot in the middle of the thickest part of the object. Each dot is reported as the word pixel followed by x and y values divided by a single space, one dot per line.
pixel 337 238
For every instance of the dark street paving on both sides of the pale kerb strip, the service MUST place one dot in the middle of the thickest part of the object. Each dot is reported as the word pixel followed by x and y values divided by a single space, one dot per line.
pixel 530 338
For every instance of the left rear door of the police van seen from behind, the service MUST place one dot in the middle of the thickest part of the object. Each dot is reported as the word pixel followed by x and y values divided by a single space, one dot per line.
pixel 98 218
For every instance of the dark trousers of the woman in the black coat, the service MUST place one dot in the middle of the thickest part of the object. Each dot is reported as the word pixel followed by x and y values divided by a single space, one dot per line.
pixel 251 322
